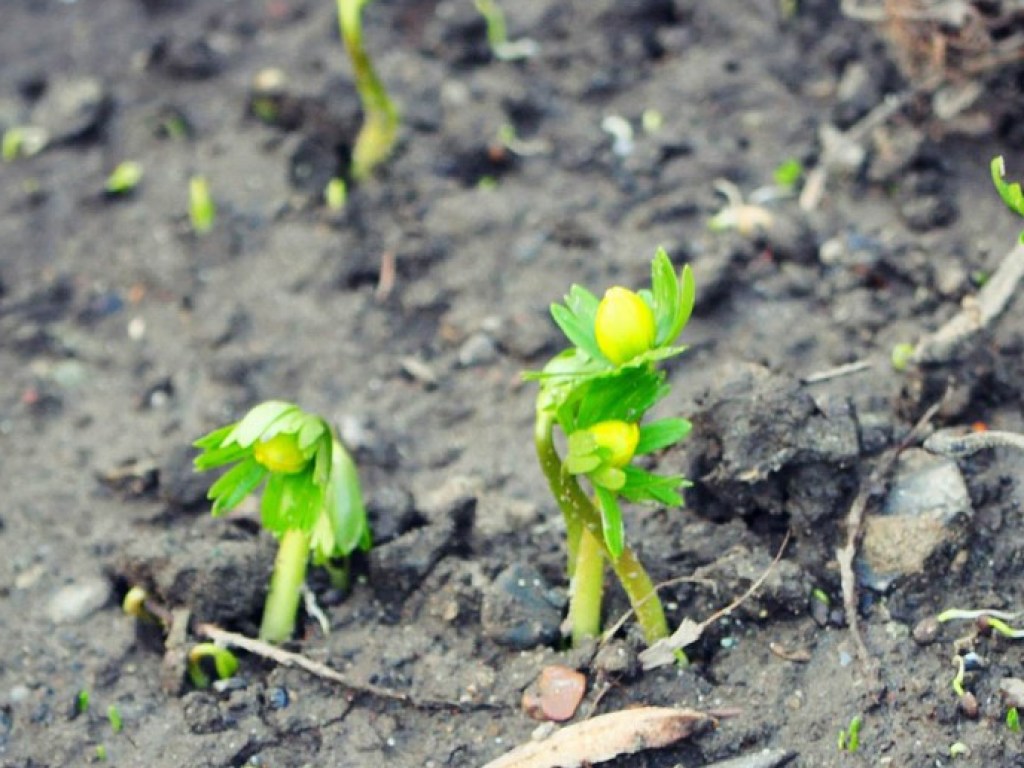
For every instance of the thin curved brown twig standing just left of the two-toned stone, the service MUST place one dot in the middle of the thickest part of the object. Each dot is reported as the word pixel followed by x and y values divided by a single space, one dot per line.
pixel 875 487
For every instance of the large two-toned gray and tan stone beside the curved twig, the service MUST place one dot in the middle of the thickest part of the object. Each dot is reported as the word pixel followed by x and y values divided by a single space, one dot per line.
pixel 927 498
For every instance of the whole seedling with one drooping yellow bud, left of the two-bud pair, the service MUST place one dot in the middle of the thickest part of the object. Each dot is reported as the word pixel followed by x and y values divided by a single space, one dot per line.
pixel 312 500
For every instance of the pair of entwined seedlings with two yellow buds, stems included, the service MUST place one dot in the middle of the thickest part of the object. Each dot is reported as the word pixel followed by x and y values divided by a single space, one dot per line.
pixel 598 393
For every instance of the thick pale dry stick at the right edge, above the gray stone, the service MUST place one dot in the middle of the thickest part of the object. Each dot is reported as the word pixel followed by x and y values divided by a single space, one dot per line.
pixel 978 313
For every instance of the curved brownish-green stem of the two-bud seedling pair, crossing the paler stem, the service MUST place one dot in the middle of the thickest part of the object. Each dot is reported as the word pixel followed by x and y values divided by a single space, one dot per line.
pixel 581 516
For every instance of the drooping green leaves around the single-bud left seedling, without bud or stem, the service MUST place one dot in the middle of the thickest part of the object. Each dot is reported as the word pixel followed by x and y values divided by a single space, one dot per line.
pixel 323 498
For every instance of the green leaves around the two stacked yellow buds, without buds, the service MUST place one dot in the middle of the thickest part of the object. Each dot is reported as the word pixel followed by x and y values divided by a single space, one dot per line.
pixel 581 388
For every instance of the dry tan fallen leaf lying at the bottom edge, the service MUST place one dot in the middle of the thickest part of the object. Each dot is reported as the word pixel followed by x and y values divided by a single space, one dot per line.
pixel 607 737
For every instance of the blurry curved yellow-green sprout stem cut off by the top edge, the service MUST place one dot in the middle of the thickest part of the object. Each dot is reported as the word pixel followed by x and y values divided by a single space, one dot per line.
pixel 380 116
